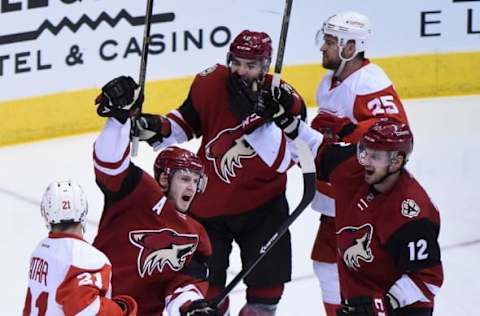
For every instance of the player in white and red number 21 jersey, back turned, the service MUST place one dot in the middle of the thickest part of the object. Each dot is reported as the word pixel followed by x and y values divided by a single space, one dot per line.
pixel 67 275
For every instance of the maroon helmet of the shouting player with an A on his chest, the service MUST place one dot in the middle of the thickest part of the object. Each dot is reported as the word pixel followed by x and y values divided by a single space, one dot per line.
pixel 175 158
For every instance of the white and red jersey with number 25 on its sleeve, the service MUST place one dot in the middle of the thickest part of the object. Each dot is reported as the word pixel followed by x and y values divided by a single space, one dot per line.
pixel 364 97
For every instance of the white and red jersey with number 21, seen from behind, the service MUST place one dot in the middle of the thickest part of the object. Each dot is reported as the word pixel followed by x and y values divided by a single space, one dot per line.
pixel 68 276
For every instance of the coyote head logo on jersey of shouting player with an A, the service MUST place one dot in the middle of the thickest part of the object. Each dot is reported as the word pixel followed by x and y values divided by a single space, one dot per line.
pixel 162 247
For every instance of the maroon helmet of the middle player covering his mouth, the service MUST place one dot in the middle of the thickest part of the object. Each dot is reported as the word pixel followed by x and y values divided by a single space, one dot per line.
pixel 252 45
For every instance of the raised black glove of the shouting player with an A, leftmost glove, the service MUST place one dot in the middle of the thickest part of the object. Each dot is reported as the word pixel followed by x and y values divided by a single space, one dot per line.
pixel 121 98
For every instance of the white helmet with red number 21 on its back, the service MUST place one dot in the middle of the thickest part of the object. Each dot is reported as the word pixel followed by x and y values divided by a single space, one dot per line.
pixel 64 202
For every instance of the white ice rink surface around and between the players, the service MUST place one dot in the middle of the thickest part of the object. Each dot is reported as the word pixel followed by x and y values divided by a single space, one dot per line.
pixel 444 160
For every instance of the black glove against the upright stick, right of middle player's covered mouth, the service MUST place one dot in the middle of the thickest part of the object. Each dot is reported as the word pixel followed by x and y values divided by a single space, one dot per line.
pixel 278 106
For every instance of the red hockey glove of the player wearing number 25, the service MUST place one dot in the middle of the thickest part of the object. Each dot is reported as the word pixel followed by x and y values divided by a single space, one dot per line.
pixel 332 125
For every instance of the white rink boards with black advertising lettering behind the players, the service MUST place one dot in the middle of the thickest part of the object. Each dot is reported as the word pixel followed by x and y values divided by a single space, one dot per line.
pixel 31 65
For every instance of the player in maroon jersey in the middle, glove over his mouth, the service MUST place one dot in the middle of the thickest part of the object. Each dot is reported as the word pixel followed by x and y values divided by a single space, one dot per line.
pixel 245 200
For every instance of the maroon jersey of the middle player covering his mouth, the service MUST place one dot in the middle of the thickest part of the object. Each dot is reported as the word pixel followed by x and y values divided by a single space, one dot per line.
pixel 238 179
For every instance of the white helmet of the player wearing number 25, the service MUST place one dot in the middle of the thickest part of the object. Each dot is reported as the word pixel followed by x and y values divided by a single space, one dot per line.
pixel 346 26
